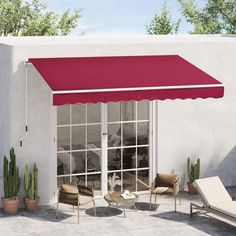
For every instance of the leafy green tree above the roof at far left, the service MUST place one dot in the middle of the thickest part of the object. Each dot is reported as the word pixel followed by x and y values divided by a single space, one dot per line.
pixel 30 18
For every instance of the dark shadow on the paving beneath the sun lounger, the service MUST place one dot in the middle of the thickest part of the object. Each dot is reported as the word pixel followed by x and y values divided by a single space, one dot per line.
pixel 204 223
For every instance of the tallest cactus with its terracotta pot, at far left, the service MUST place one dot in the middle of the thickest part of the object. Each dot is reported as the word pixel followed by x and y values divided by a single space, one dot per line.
pixel 11 183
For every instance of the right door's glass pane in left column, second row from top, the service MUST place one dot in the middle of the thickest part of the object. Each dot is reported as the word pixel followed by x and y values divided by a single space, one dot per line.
pixel 114 135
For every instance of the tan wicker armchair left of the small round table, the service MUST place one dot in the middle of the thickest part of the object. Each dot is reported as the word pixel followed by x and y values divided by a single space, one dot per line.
pixel 75 195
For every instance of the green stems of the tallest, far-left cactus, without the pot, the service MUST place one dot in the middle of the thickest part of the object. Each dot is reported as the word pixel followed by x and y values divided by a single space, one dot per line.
pixel 11 179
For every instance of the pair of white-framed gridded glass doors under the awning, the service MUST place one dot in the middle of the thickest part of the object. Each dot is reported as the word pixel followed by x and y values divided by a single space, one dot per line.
pixel 96 141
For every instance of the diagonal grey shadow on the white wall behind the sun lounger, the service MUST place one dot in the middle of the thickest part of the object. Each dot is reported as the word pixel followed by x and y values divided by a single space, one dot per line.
pixel 225 169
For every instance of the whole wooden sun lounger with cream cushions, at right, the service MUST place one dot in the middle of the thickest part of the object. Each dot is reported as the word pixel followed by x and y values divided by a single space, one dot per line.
pixel 215 199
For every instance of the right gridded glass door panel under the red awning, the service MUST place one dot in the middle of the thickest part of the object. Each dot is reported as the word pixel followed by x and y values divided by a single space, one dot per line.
pixel 128 144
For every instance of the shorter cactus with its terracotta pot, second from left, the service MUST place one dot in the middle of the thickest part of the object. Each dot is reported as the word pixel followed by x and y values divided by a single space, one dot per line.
pixel 31 199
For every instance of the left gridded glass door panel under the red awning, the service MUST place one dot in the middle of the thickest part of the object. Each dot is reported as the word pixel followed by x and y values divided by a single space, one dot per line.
pixel 79 145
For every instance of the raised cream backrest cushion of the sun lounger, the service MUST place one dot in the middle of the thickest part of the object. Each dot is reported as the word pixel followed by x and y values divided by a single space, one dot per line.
pixel 212 190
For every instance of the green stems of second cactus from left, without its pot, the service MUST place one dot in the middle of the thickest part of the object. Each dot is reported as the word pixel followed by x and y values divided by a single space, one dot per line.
pixel 31 182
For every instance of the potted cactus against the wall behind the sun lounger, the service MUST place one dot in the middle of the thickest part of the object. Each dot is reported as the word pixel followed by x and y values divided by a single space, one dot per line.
pixel 193 173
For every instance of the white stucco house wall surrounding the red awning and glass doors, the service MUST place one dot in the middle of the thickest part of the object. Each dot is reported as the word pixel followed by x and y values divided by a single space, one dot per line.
pixel 204 127
